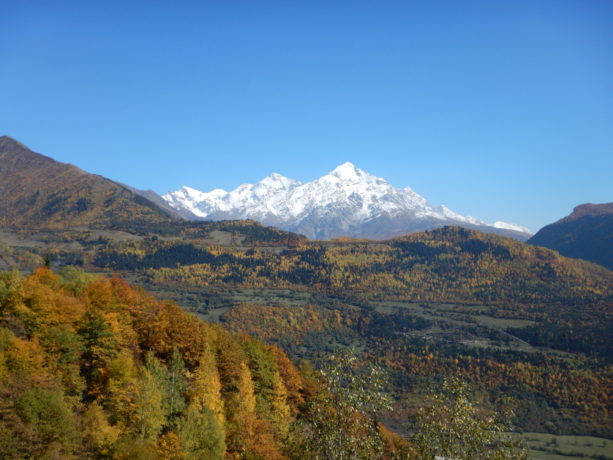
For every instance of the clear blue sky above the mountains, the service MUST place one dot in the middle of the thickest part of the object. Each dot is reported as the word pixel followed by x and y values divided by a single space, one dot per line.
pixel 498 109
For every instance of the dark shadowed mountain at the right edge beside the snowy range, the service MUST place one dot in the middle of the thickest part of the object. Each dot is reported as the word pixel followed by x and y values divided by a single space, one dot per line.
pixel 587 233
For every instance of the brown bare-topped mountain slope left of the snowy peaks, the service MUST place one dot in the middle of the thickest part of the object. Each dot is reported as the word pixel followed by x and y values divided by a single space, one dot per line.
pixel 41 193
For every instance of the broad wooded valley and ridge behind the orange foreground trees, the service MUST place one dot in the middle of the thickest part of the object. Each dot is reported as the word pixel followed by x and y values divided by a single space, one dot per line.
pixel 514 319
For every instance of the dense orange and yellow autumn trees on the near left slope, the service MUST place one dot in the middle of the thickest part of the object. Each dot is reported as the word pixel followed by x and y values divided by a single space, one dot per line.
pixel 91 367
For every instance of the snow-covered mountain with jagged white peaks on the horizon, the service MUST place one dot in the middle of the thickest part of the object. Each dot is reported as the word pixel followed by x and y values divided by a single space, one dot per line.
pixel 346 202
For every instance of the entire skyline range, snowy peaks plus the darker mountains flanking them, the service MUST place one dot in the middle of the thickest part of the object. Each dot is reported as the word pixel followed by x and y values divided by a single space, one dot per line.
pixel 41 193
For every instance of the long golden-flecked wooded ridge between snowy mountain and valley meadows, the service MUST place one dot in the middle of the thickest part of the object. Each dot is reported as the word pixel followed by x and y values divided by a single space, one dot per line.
pixel 451 264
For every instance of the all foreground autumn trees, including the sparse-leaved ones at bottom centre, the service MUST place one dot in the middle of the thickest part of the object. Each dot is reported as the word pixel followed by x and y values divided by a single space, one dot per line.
pixel 91 367
